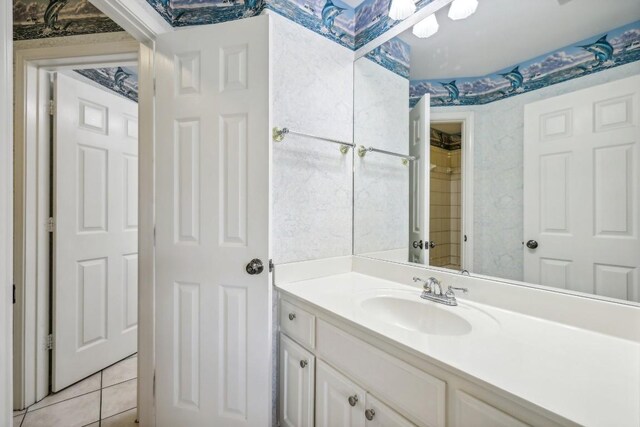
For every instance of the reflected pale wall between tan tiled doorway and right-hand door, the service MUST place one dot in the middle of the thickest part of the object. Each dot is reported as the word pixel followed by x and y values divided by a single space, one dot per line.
pixel 498 173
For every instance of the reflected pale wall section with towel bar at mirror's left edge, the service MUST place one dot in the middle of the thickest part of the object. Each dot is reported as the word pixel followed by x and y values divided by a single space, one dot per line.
pixel 381 188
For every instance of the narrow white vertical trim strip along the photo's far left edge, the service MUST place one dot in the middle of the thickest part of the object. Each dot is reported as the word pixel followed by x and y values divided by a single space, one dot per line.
pixel 6 209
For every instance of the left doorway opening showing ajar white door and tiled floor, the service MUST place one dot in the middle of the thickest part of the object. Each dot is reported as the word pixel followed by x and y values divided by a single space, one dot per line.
pixel 88 145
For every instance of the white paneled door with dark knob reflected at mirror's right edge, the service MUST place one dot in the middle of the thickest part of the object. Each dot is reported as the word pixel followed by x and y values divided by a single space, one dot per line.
pixel 581 190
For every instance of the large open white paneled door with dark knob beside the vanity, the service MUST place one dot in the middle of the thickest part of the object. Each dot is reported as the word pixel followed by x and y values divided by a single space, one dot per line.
pixel 213 318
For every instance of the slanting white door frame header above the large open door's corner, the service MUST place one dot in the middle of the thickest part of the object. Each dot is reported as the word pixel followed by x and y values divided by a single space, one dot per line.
pixel 136 17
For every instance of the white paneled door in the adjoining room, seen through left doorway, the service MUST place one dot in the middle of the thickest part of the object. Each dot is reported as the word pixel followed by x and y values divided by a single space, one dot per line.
pixel 96 230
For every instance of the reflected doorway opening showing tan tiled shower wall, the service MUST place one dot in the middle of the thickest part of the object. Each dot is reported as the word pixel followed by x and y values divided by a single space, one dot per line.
pixel 445 222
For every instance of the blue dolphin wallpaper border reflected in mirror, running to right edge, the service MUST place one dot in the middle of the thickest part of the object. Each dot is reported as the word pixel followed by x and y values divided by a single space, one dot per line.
pixel 600 52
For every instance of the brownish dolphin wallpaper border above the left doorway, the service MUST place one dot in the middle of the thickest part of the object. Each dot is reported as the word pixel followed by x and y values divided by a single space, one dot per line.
pixel 36 19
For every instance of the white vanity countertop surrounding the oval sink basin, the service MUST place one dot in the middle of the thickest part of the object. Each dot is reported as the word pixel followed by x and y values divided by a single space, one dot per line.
pixel 586 377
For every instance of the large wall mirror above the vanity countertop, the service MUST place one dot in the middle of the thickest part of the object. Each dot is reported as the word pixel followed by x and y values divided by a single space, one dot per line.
pixel 506 144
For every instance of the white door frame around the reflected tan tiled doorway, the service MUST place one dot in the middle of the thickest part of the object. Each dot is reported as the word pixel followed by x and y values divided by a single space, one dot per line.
pixel 467 120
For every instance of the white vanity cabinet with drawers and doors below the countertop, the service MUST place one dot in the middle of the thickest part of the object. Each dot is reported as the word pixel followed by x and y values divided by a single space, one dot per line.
pixel 350 378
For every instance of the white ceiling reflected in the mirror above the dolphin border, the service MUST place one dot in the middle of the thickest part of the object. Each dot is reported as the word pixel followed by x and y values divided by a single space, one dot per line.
pixel 506 32
